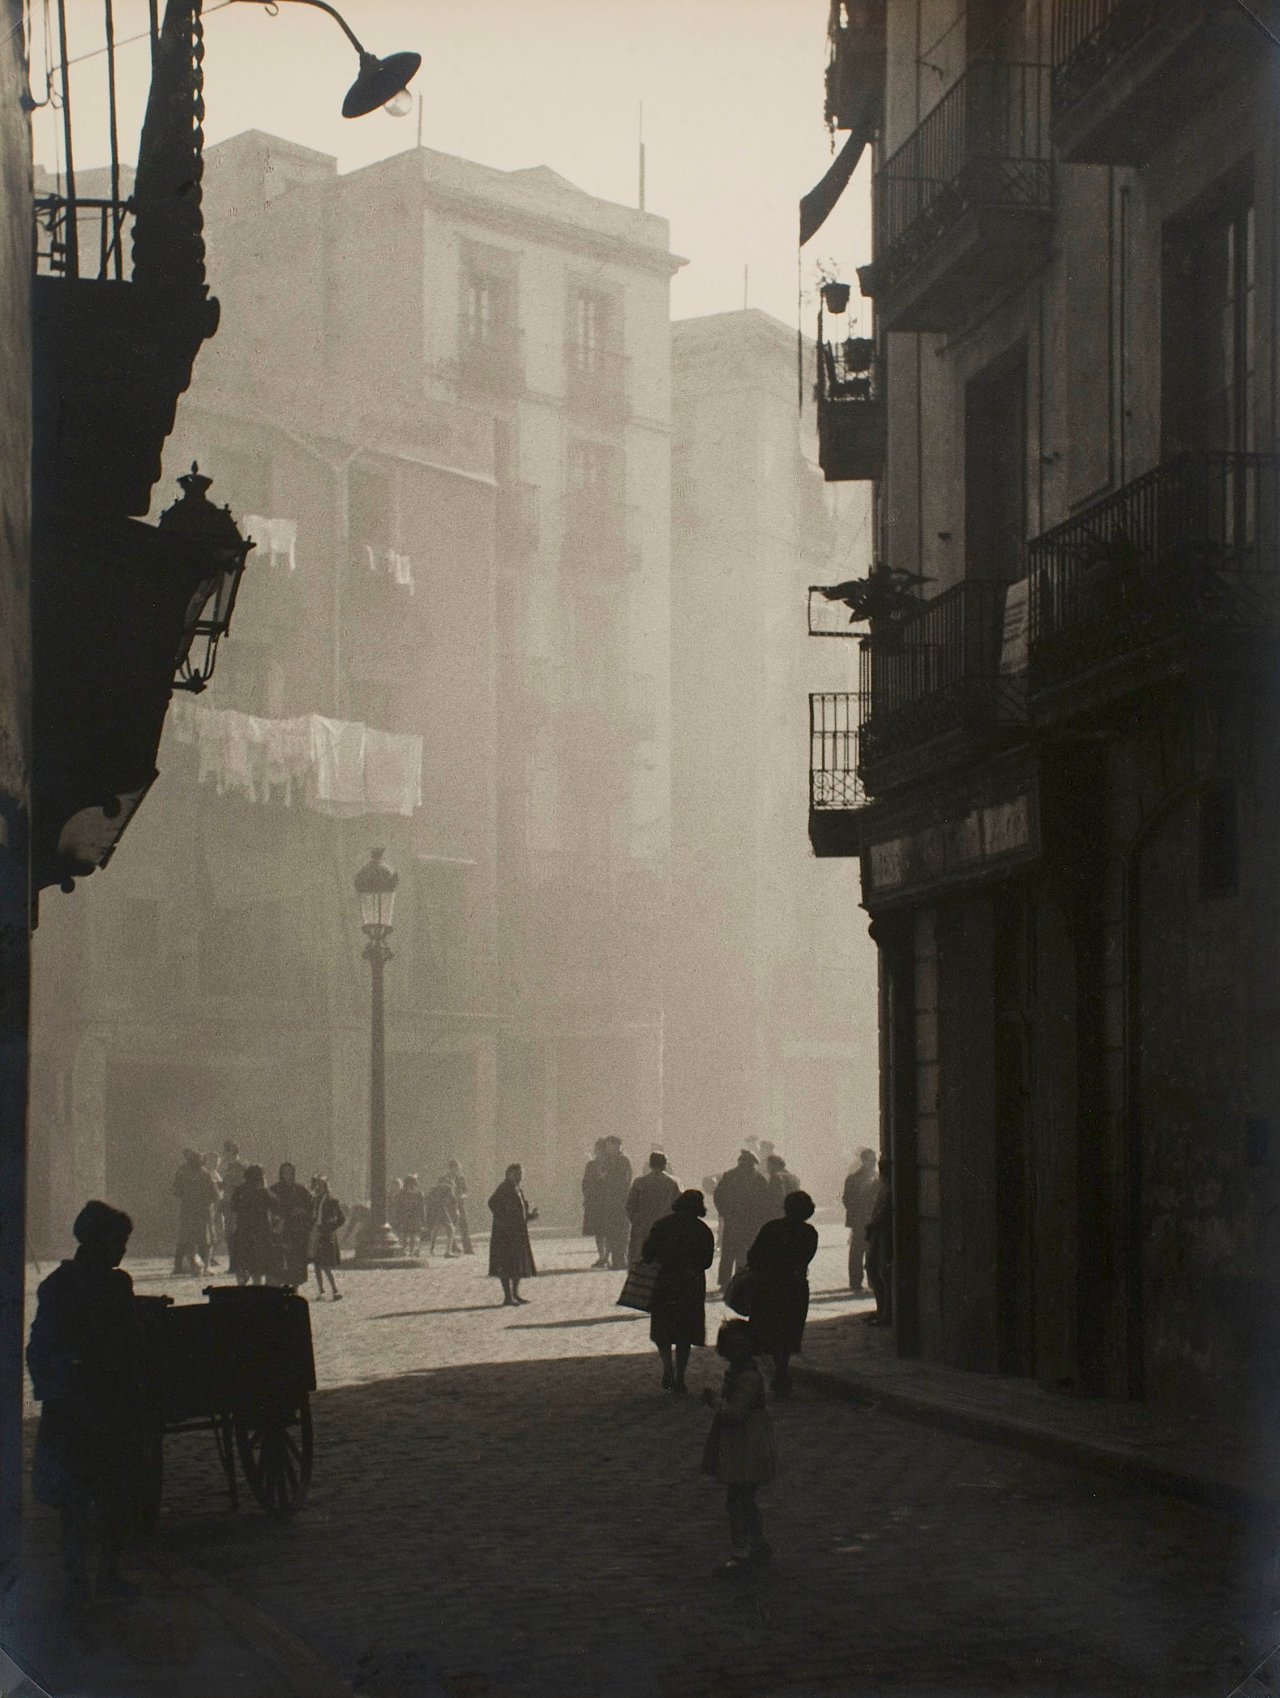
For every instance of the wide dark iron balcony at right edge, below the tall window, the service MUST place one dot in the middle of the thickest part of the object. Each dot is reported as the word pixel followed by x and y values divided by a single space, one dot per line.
pixel 1176 570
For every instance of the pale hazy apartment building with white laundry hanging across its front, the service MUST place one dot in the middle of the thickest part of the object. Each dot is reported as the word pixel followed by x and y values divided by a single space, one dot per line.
pixel 441 407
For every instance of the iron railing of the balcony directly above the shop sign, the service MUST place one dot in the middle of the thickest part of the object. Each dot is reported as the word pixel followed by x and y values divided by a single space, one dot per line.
pixel 933 672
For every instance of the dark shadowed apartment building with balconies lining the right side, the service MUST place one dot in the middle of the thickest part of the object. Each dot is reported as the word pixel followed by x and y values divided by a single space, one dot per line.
pixel 1058 770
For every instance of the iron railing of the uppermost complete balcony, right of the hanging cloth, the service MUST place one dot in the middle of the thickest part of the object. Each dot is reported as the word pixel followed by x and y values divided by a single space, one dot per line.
pixel 984 147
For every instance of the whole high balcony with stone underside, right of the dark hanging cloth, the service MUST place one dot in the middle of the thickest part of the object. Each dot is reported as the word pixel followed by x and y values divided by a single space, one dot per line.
pixel 963 208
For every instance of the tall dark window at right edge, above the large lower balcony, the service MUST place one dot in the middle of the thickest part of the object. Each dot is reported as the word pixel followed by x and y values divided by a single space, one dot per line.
pixel 1208 323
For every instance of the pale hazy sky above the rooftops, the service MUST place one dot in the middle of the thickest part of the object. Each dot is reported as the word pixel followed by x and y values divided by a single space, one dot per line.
pixel 731 89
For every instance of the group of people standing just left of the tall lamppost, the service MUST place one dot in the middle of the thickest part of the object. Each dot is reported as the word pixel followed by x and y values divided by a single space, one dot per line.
pixel 272 1234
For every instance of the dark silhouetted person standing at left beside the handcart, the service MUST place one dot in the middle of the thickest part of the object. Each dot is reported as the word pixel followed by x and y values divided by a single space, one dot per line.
pixel 86 1359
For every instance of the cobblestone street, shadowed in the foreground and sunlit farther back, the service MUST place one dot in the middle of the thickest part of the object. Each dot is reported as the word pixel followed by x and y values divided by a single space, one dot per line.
pixel 507 1507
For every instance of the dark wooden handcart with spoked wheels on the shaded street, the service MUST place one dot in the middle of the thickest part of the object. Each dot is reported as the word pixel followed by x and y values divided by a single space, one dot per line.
pixel 242 1368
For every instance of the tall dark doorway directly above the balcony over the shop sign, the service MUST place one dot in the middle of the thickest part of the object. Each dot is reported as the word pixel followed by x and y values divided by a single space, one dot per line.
pixel 996 471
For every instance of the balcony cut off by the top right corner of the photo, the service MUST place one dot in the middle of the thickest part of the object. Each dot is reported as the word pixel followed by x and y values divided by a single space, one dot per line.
pixel 1130 74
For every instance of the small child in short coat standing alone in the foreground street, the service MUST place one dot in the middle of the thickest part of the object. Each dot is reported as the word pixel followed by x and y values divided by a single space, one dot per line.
pixel 741 1448
